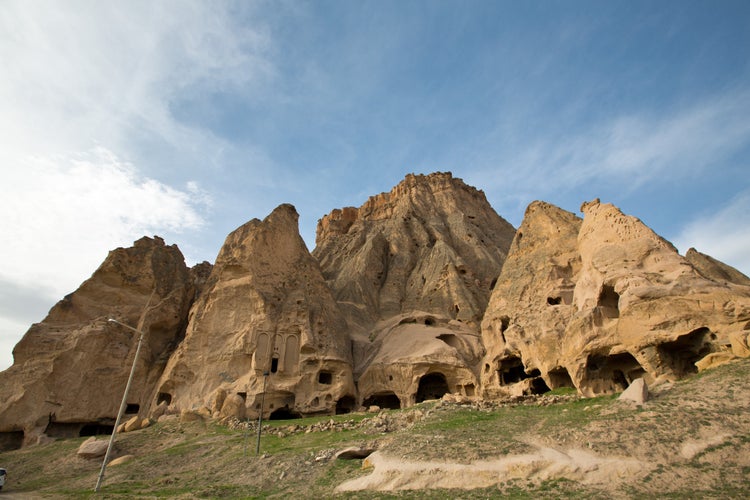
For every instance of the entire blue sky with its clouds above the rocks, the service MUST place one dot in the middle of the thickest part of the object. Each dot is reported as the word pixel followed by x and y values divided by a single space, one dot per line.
pixel 187 119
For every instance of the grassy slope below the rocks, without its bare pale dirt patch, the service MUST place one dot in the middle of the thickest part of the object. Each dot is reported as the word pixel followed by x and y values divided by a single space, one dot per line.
pixel 205 460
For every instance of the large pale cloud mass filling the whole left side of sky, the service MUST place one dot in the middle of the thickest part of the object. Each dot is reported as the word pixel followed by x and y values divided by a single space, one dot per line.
pixel 87 87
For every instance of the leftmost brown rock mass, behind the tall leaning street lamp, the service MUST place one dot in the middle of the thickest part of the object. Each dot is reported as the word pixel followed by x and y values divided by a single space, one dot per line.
pixel 70 370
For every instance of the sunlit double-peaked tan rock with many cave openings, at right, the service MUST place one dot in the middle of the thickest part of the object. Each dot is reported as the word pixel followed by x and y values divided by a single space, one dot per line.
pixel 621 303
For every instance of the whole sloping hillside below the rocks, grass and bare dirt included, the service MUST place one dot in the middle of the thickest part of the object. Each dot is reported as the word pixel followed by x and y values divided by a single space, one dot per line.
pixel 691 439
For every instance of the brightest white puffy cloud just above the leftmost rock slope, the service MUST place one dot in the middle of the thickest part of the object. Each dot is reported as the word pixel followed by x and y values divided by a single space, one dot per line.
pixel 62 215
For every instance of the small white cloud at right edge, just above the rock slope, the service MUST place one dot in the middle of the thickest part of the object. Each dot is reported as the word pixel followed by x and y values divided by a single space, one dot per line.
pixel 724 235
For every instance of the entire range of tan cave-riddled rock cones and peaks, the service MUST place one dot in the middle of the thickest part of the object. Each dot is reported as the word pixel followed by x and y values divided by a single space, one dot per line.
pixel 419 292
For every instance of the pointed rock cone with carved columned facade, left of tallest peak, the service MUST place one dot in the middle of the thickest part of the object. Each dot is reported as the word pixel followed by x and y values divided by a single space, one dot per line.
pixel 265 309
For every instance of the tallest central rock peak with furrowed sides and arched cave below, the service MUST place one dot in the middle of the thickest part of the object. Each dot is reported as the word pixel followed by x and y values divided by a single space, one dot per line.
pixel 429 250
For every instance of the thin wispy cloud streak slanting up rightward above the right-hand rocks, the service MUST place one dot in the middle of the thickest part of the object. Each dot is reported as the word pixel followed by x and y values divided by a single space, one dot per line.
pixel 627 150
